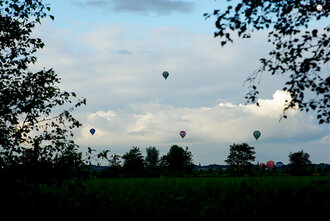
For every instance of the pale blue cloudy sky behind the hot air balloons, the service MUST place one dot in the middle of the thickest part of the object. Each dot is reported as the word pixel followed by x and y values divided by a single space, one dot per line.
pixel 113 53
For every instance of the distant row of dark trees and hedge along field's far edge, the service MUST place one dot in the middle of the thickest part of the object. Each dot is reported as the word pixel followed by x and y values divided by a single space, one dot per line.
pixel 178 162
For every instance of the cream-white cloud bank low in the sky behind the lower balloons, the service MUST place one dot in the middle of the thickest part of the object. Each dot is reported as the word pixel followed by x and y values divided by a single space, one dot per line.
pixel 226 122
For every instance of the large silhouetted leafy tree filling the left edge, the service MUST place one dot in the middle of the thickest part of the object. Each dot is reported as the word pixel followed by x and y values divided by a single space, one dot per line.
pixel 34 132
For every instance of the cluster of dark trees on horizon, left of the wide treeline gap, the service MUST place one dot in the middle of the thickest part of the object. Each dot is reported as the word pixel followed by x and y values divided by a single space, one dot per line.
pixel 177 162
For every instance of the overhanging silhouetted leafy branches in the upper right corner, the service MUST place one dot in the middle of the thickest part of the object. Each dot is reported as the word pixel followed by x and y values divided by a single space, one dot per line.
pixel 299 54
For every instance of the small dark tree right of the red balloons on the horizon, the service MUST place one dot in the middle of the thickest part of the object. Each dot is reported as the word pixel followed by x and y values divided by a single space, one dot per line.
pixel 299 163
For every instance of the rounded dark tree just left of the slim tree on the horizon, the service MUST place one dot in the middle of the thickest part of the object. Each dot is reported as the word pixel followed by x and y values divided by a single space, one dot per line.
pixel 133 162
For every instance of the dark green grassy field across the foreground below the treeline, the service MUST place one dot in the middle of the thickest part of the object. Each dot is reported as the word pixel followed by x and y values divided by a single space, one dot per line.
pixel 193 198
